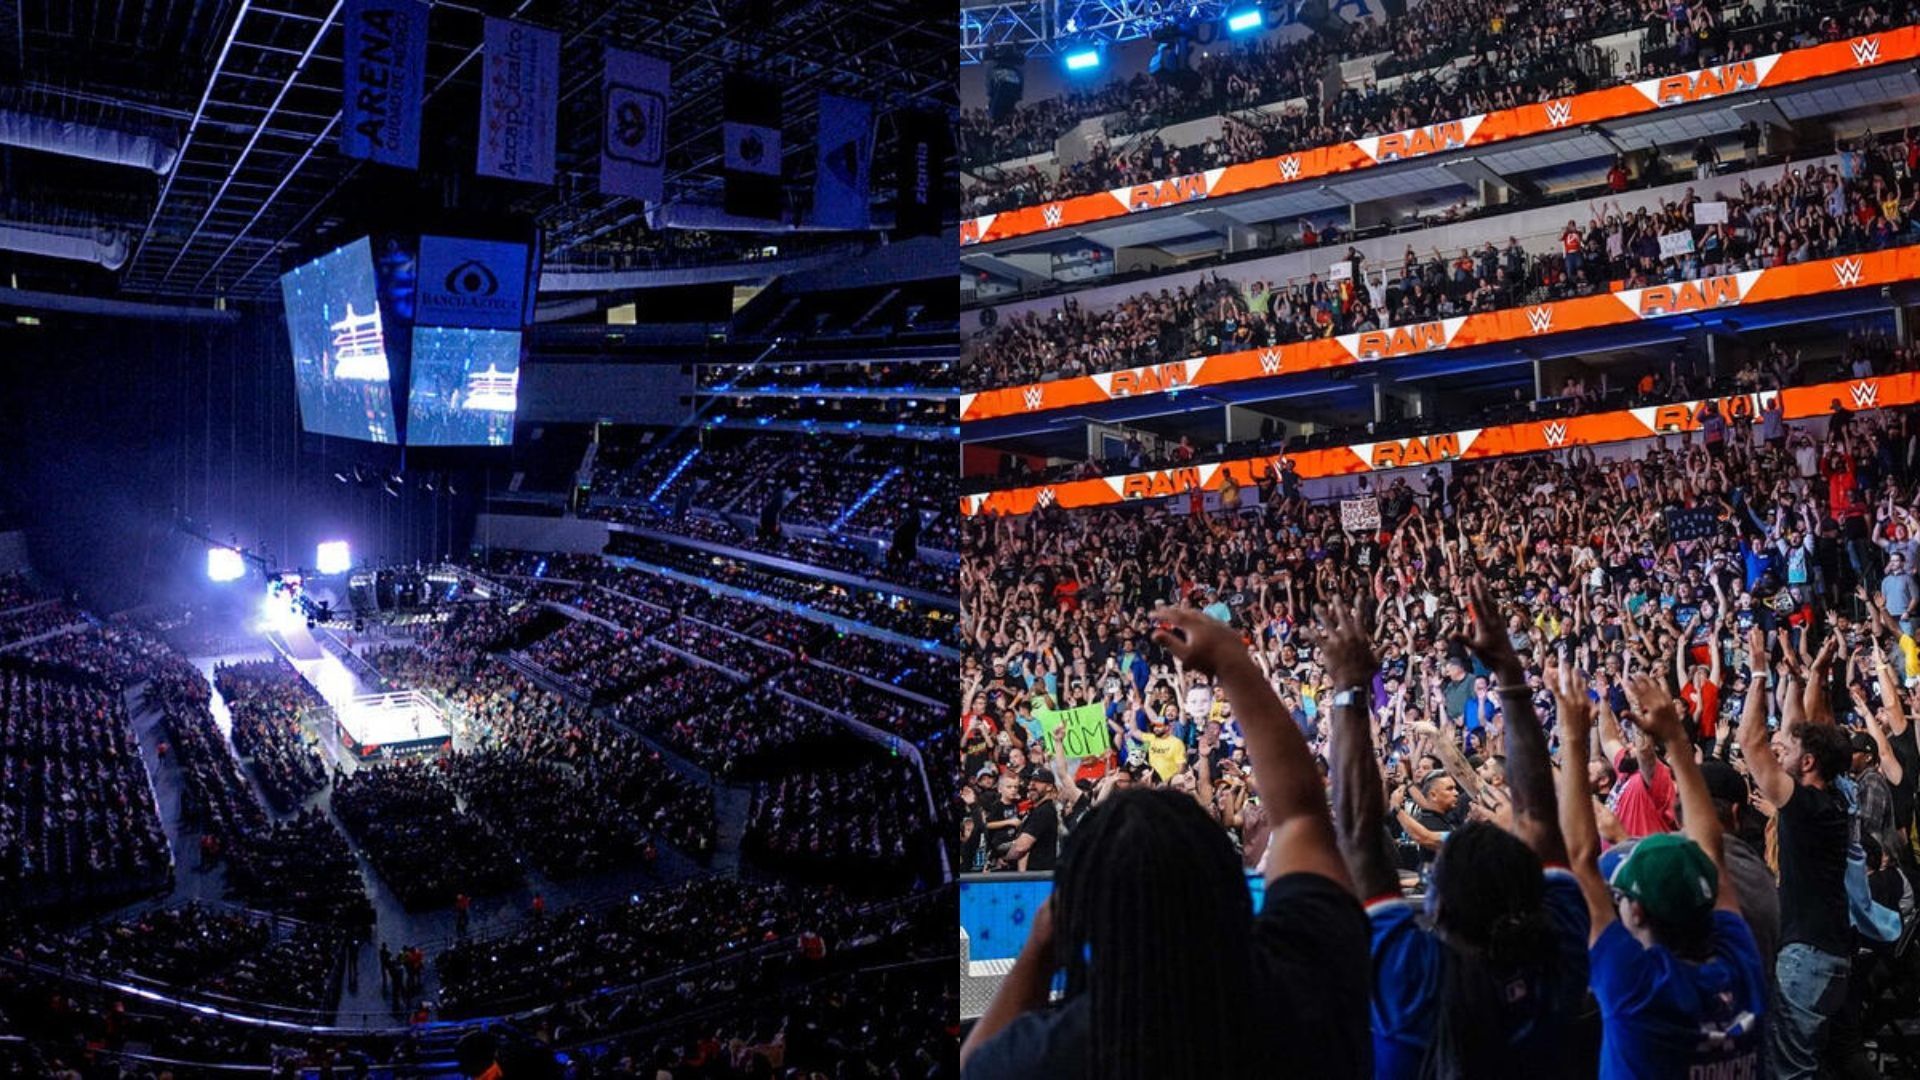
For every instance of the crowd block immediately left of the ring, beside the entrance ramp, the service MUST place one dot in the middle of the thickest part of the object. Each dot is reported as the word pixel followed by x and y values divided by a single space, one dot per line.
pixel 276 724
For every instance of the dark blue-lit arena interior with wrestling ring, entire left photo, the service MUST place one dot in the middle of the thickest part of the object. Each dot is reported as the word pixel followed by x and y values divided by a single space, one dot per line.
pixel 479 529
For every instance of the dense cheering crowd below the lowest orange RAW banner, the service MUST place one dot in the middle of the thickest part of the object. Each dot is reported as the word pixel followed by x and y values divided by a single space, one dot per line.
pixel 1750 585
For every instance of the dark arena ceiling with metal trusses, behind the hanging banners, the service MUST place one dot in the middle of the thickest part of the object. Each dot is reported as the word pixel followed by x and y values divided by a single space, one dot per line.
pixel 249 91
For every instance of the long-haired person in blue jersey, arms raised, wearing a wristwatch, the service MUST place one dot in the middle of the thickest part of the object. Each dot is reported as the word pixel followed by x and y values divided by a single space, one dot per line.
pixel 1491 979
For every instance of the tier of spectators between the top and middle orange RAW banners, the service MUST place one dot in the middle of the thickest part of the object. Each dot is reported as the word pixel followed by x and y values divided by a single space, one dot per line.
pixel 1865 203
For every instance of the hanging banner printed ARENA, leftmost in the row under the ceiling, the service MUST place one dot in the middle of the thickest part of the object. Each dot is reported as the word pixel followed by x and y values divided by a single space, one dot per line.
pixel 385 82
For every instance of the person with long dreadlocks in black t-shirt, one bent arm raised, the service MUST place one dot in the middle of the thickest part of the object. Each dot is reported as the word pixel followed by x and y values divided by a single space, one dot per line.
pixel 1168 970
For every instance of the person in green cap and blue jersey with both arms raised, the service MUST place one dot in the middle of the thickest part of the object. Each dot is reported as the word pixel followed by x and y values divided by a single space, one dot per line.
pixel 1677 971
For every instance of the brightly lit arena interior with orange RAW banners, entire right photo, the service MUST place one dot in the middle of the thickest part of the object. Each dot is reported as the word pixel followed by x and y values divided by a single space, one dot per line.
pixel 1276 307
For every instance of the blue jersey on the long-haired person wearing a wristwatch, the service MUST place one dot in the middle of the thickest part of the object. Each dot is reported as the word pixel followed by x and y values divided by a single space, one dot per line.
pixel 1410 979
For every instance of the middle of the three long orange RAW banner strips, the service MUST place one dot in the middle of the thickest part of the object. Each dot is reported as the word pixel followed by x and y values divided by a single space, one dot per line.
pixel 1489 328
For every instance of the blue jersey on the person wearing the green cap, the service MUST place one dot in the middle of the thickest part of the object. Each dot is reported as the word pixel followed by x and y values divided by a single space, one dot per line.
pixel 1669 1018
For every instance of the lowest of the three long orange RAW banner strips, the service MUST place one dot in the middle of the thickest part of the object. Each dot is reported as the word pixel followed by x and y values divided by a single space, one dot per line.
pixel 1474 445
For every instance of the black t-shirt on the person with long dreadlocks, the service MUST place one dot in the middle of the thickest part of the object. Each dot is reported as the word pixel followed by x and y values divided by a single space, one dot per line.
pixel 1312 975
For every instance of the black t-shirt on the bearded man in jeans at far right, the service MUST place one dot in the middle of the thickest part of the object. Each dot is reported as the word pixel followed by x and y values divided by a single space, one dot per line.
pixel 1813 871
